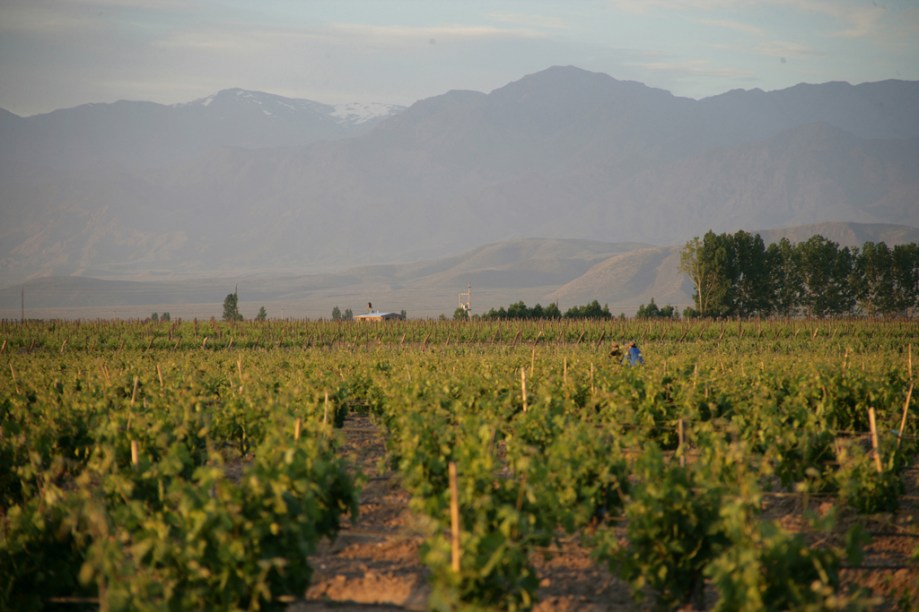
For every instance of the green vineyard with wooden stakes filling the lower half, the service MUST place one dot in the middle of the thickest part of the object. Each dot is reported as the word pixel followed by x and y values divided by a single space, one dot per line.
pixel 505 465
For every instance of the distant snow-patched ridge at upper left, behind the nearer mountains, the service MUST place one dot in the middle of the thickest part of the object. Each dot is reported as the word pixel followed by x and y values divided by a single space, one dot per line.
pixel 144 135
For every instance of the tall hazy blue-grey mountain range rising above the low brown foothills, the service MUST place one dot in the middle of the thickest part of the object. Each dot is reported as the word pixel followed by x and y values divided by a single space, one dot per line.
pixel 245 183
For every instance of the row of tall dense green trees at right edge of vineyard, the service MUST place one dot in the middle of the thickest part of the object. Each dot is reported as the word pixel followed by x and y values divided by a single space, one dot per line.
pixel 737 275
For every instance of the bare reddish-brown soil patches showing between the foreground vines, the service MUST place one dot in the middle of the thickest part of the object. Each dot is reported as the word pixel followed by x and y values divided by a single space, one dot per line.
pixel 374 563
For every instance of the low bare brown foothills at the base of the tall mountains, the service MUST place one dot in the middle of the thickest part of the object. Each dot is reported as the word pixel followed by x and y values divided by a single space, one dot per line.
pixel 567 272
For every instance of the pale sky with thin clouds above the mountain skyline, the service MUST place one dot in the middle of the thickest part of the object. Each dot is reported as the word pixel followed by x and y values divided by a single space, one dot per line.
pixel 62 53
